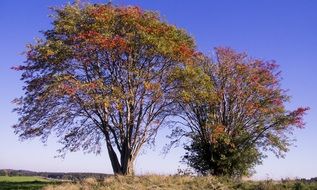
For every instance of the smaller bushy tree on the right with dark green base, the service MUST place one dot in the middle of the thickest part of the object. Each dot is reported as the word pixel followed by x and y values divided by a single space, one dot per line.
pixel 238 113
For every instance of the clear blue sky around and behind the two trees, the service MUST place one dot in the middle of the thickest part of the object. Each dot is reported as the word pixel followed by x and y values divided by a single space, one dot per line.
pixel 283 30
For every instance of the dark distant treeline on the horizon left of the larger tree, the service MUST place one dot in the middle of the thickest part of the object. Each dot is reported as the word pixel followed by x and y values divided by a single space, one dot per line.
pixel 53 175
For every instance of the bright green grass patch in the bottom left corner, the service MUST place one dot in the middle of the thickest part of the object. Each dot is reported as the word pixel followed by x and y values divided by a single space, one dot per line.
pixel 23 182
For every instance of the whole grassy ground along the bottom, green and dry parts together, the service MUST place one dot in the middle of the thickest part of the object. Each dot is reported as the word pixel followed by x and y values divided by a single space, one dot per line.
pixel 149 182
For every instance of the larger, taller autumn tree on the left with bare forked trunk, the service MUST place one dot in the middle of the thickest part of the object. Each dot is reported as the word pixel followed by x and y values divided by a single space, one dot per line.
pixel 100 76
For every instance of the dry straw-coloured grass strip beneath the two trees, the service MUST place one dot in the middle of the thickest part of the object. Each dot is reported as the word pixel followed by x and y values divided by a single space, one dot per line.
pixel 161 182
